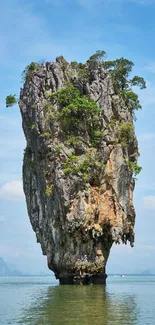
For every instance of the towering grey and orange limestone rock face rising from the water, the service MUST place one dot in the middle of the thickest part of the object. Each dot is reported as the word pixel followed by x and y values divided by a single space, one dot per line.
pixel 77 219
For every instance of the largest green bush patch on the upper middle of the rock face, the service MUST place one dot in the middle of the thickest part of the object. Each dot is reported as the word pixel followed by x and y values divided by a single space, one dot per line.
pixel 78 114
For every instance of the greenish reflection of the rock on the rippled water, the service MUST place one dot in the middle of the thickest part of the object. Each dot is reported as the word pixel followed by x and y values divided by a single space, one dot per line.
pixel 82 305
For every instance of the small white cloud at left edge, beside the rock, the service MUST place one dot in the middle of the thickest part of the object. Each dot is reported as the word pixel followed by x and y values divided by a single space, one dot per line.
pixel 12 191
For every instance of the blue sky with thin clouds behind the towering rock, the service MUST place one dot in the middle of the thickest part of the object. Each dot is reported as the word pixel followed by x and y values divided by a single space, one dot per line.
pixel 43 29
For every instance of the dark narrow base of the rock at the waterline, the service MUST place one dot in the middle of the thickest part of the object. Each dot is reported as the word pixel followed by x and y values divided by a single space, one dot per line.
pixel 84 280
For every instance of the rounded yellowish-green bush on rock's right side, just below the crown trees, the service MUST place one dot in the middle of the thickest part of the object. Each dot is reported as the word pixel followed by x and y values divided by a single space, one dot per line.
pixel 124 133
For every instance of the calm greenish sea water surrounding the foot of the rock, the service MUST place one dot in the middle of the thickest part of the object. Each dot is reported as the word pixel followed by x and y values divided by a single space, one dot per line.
pixel 126 300
